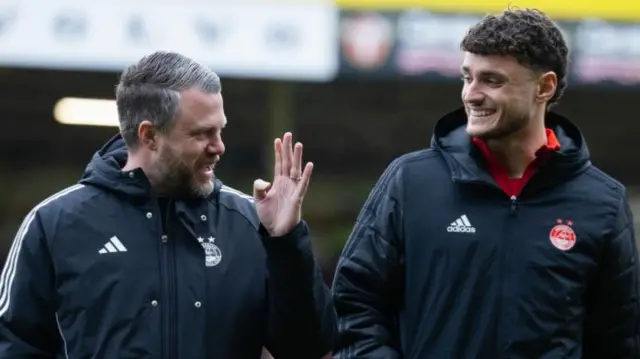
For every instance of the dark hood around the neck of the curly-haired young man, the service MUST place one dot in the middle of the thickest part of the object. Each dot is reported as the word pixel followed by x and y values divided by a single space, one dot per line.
pixel 467 164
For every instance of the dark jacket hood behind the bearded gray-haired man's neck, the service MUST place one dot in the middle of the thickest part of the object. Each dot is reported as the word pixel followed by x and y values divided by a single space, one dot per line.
pixel 105 171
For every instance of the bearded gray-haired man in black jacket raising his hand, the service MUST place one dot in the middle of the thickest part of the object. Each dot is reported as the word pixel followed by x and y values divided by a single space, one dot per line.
pixel 151 256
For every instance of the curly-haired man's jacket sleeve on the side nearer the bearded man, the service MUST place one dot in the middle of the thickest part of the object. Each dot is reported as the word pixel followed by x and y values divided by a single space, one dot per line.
pixel 368 281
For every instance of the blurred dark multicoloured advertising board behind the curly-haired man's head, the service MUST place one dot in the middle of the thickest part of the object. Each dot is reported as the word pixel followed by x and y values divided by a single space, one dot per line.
pixel 421 45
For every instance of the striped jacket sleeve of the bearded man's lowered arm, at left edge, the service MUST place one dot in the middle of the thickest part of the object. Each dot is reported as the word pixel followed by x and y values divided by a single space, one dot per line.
pixel 28 326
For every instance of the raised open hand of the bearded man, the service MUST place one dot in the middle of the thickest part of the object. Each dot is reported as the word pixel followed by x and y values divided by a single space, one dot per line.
pixel 279 203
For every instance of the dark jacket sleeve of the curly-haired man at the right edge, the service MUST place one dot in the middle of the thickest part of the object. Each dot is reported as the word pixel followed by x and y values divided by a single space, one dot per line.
pixel 613 299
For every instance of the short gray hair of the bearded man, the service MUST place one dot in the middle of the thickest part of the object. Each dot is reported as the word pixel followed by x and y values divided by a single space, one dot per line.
pixel 150 90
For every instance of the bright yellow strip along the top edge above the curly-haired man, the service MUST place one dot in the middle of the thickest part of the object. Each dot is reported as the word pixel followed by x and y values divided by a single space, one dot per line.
pixel 624 10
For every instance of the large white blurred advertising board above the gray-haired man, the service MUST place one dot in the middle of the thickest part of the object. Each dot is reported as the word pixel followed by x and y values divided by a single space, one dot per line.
pixel 269 40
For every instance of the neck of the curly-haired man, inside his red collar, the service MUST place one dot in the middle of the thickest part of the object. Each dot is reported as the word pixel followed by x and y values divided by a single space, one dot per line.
pixel 518 150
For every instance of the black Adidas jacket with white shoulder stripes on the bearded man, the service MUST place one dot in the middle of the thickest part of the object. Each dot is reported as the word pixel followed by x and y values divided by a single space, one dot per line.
pixel 93 263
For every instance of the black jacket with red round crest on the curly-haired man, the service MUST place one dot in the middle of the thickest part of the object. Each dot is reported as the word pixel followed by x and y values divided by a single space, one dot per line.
pixel 443 264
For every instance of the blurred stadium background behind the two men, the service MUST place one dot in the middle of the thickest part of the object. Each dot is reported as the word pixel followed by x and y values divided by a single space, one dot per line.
pixel 359 82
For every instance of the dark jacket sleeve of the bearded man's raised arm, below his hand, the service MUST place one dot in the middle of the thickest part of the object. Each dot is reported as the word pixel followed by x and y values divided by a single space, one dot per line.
pixel 301 319
